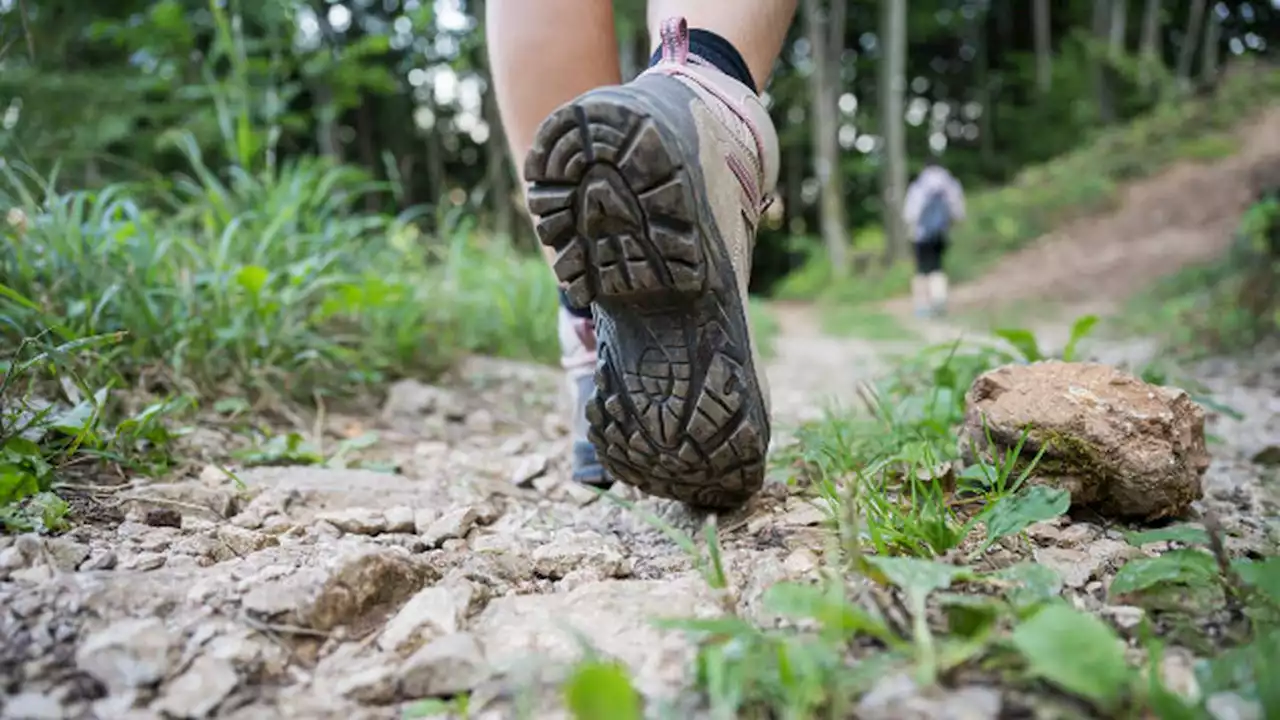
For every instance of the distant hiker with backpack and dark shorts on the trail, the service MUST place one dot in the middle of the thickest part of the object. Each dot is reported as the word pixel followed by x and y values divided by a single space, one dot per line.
pixel 934 202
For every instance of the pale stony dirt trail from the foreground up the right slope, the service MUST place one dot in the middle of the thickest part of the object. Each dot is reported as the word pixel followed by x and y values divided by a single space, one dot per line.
pixel 330 593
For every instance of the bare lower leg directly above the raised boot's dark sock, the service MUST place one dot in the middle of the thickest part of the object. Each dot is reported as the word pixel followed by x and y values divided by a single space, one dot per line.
pixel 757 29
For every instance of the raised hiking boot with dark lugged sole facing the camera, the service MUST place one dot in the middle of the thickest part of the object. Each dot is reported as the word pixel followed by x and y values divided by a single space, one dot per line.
pixel 651 194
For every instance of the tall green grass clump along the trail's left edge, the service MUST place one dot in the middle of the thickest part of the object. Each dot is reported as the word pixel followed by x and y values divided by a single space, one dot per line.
pixel 258 274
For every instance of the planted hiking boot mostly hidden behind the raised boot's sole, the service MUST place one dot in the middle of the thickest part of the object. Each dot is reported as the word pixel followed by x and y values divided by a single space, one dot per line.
pixel 578 358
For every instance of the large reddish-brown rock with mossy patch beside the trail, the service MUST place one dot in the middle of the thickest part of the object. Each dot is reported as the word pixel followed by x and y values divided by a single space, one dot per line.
pixel 1126 448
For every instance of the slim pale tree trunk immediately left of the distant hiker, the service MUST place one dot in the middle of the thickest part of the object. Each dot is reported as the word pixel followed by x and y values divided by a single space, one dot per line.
pixel 893 86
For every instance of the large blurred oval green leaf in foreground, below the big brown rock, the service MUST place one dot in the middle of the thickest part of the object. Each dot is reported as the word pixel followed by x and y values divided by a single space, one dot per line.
pixel 1075 651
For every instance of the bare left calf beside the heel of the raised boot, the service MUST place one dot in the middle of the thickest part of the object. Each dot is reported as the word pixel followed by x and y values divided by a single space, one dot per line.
pixel 545 54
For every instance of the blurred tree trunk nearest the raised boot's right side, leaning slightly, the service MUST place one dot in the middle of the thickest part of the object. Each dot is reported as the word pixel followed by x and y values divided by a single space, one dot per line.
pixel 825 97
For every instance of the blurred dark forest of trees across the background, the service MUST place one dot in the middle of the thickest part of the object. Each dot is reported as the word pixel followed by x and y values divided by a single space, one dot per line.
pixel 400 88
